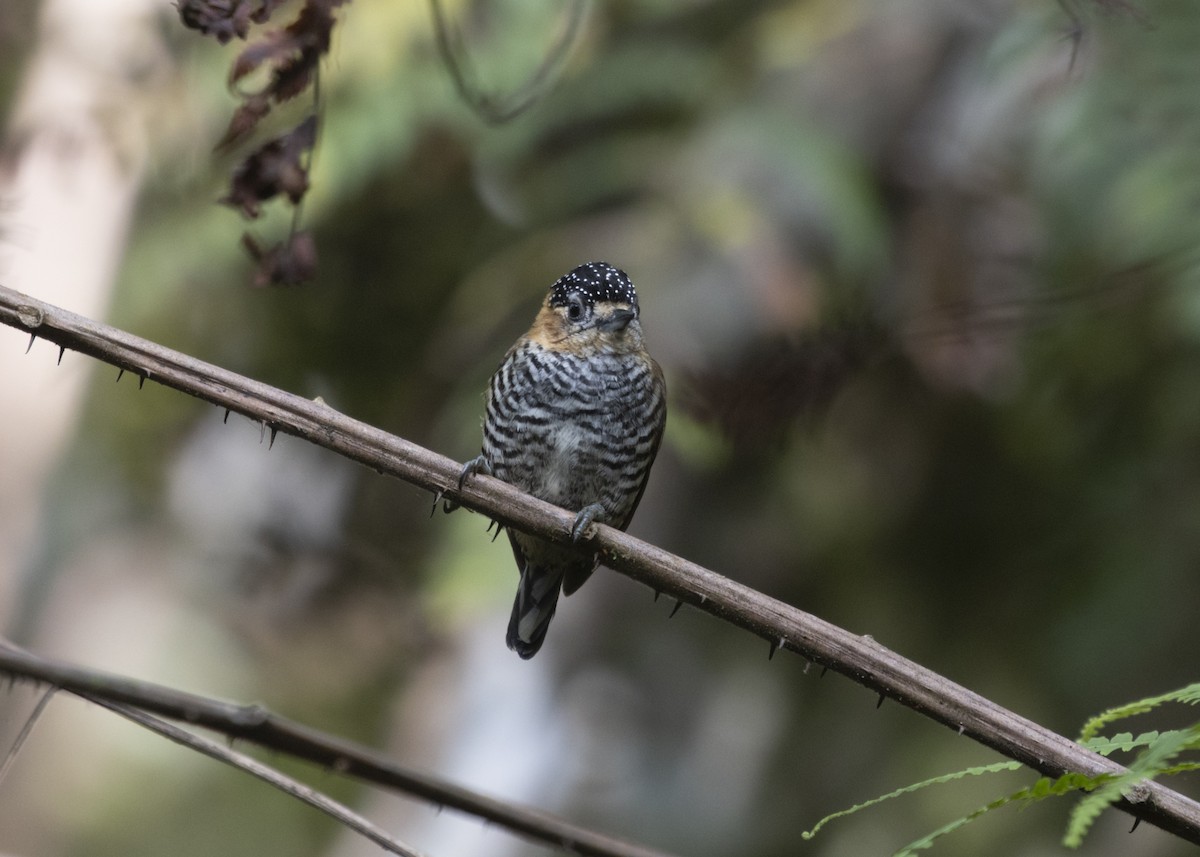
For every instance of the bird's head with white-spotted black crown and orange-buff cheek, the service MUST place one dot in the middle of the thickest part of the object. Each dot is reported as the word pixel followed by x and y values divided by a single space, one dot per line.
pixel 592 309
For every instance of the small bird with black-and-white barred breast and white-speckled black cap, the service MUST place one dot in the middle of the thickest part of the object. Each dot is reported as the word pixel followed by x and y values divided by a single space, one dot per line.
pixel 574 416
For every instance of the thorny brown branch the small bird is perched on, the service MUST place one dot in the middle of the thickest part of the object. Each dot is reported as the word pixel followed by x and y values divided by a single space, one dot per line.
pixel 860 658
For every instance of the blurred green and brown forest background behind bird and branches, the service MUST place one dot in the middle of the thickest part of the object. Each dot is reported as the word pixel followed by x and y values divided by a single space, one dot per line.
pixel 923 280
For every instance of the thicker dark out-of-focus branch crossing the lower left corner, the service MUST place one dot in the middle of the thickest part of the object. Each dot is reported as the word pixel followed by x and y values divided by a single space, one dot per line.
pixel 257 726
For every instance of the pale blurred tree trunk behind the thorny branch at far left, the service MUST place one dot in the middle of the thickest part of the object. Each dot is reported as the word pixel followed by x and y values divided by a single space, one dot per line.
pixel 70 172
